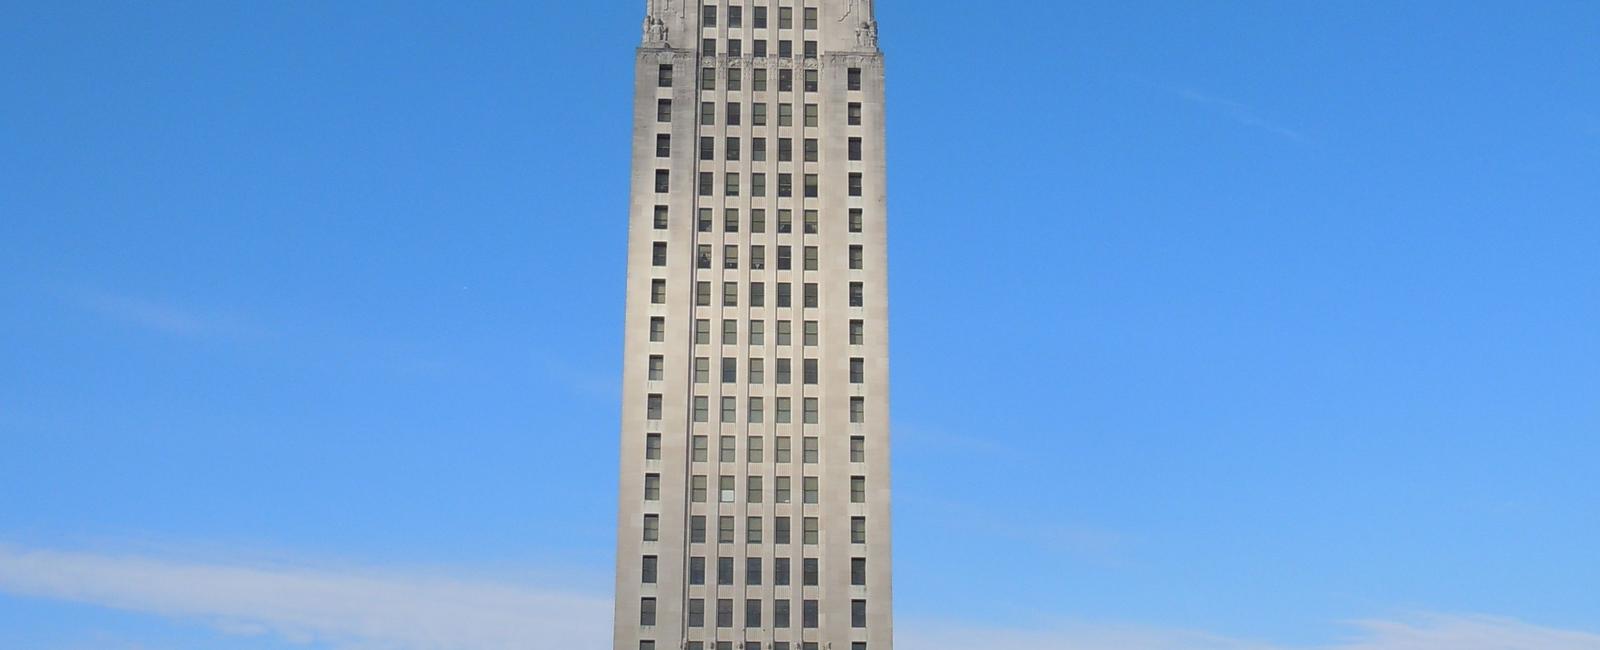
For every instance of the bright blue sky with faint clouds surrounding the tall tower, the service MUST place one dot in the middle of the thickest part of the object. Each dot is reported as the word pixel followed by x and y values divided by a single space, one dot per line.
pixel 1215 326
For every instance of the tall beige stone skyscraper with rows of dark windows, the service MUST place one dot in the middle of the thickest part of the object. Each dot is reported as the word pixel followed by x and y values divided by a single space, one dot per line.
pixel 756 455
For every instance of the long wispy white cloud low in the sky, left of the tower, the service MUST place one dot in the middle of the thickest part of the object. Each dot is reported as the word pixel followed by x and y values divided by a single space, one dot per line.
pixel 345 609
